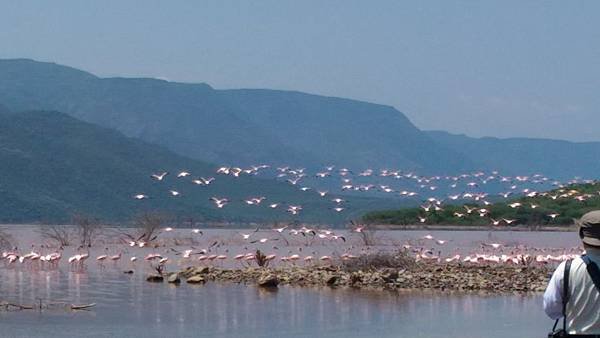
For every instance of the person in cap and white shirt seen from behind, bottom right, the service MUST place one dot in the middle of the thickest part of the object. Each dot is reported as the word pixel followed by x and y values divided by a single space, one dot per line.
pixel 583 297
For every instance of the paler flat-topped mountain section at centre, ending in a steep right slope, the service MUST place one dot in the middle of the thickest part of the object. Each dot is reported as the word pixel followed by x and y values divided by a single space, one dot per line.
pixel 342 131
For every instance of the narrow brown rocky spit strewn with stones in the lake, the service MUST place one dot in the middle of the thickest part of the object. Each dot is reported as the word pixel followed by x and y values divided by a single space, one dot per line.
pixel 444 277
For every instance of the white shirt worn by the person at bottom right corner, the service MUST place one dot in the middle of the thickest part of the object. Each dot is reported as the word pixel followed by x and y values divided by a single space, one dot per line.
pixel 583 306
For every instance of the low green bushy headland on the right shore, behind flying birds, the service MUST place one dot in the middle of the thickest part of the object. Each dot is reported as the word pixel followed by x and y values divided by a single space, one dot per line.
pixel 570 203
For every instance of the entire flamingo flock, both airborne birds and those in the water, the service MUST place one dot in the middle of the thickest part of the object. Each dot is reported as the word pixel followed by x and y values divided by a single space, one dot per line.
pixel 340 245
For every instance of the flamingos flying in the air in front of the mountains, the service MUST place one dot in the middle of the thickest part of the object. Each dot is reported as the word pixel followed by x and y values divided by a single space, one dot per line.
pixel 467 187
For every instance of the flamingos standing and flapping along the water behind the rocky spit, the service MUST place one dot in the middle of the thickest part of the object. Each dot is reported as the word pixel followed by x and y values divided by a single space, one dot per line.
pixel 425 249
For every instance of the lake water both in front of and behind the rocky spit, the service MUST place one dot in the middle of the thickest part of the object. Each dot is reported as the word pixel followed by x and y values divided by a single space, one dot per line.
pixel 128 306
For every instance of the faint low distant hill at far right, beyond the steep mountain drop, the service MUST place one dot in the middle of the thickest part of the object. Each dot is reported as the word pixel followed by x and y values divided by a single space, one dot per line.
pixel 558 159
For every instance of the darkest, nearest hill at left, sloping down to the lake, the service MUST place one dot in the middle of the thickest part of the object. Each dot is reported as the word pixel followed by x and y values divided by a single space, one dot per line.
pixel 53 166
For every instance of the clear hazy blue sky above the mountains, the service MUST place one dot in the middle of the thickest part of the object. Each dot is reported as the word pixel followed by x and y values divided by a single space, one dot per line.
pixel 484 68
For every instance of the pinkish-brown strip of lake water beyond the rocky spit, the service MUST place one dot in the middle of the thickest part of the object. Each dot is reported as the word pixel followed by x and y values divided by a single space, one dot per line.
pixel 231 243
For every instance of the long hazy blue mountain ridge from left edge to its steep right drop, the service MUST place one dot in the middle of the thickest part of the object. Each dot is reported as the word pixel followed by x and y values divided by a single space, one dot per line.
pixel 232 126
